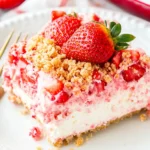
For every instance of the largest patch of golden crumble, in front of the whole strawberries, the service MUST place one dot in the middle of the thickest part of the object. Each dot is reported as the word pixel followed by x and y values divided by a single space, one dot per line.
pixel 46 56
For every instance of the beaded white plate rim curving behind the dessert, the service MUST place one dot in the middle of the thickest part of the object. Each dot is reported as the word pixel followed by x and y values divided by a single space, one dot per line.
pixel 30 15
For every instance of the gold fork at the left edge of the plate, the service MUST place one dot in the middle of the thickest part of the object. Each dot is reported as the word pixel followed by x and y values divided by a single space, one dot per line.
pixel 2 50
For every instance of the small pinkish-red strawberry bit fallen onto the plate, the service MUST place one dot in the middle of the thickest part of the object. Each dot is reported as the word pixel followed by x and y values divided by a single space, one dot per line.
pixel 35 133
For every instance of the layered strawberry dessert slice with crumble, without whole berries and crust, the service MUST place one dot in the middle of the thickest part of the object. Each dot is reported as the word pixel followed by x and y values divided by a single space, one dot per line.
pixel 71 97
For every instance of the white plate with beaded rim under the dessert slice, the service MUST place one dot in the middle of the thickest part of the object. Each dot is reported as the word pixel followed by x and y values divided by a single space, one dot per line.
pixel 14 127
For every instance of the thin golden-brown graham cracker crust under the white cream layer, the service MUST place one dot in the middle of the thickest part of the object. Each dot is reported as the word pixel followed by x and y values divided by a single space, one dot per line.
pixel 79 139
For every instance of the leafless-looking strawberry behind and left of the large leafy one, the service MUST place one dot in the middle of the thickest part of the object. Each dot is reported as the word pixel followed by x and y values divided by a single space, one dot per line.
pixel 62 29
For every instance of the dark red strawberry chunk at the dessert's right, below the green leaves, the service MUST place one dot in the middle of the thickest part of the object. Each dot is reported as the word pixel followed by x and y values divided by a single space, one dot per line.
pixel 134 72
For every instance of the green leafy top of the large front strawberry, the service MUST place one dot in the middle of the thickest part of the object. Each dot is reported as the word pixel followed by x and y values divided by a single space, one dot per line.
pixel 120 40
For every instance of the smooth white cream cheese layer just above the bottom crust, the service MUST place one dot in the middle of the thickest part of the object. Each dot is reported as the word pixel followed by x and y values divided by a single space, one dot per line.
pixel 121 103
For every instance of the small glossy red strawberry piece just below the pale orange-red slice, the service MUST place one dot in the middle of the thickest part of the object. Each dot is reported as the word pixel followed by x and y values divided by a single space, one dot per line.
pixel 62 97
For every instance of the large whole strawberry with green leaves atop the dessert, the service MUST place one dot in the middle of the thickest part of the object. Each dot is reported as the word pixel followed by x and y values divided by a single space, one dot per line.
pixel 94 42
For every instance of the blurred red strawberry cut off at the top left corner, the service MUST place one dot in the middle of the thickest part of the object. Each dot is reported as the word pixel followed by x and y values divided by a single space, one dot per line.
pixel 9 4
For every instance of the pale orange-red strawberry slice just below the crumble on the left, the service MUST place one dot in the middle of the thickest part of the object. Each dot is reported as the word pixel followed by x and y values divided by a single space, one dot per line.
pixel 55 87
